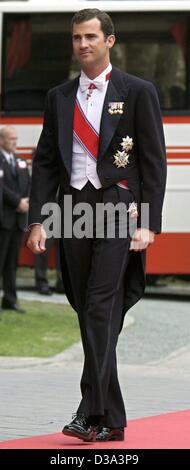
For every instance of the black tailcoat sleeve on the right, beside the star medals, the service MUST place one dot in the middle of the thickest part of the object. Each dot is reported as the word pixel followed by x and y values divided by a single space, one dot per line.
pixel 151 151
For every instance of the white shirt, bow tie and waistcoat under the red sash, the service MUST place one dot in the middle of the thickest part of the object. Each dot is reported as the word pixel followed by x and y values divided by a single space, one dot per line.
pixel 83 166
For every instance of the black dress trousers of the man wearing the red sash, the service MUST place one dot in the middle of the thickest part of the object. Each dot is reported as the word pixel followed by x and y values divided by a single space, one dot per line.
pixel 96 268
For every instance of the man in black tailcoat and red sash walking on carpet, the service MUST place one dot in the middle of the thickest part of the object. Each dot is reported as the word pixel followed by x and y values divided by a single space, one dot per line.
pixel 87 121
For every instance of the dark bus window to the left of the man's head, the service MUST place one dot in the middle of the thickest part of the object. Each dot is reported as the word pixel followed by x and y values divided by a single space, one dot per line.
pixel 36 56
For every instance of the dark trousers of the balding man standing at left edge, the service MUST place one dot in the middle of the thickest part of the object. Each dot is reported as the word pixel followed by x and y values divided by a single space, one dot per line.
pixel 10 241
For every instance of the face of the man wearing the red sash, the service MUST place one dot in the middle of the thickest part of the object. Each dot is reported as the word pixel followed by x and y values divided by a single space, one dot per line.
pixel 89 44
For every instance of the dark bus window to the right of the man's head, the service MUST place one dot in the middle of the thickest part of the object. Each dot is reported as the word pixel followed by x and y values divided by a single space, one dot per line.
pixel 154 47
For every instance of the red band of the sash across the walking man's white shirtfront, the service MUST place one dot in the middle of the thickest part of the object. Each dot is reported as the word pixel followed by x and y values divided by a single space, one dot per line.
pixel 85 132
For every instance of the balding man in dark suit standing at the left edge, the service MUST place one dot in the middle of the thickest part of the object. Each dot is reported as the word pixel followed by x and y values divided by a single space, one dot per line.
pixel 15 207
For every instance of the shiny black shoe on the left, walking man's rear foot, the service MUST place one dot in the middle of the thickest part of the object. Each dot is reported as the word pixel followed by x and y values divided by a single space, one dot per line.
pixel 80 428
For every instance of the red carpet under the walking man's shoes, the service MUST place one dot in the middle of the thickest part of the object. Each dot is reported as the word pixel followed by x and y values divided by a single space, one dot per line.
pixel 167 431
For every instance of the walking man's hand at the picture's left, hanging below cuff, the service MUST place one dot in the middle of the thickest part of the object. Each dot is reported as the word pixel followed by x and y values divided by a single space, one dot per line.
pixel 37 238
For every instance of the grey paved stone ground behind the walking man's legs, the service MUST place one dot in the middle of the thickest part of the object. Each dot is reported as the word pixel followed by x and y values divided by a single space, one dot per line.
pixel 38 396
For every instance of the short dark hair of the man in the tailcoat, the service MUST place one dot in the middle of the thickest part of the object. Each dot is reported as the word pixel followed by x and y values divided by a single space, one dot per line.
pixel 87 14
